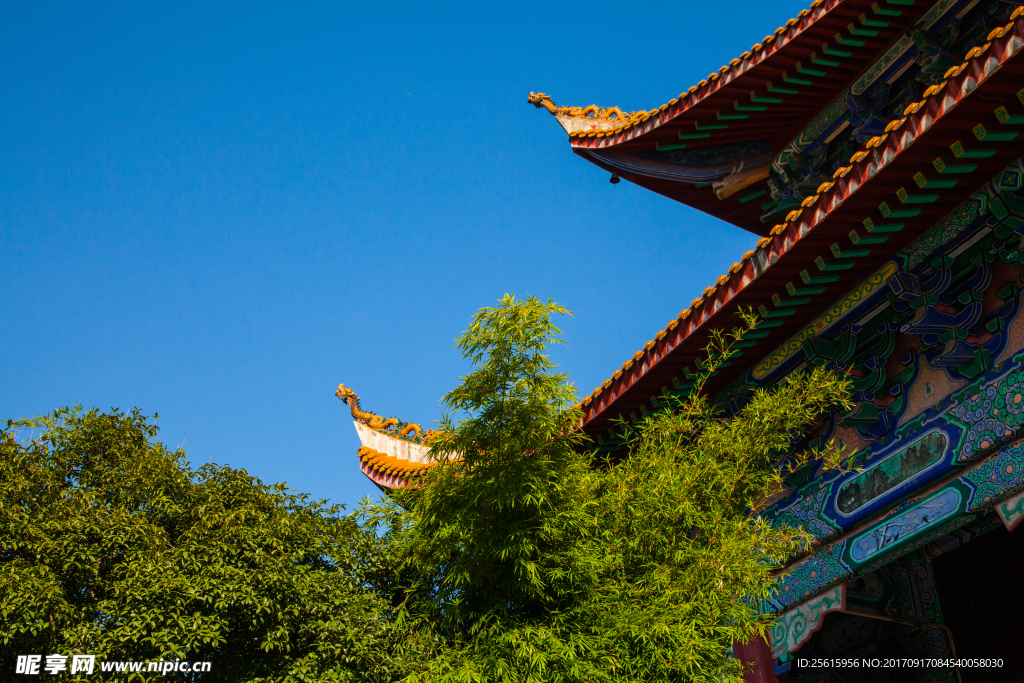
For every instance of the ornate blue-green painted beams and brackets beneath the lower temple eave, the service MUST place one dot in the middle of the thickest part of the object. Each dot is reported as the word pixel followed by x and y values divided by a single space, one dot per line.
pixel 936 351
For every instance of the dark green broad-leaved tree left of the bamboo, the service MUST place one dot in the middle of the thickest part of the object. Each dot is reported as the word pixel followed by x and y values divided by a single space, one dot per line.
pixel 111 545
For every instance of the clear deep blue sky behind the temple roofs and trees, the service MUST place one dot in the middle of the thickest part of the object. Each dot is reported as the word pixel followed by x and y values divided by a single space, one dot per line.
pixel 220 212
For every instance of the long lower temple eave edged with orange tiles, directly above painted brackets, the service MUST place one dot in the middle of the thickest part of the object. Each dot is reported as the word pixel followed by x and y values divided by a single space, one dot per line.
pixel 841 240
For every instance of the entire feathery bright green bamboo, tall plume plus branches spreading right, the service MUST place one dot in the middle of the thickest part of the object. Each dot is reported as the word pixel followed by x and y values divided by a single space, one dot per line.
pixel 536 564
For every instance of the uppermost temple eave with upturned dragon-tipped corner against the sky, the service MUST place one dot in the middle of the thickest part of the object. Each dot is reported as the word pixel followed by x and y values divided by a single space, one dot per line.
pixel 734 123
